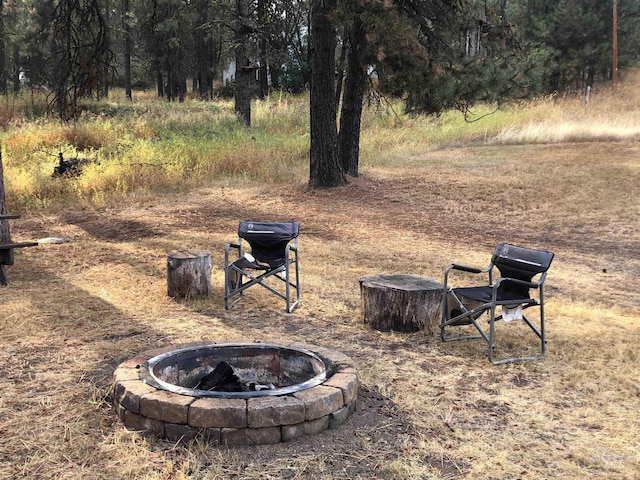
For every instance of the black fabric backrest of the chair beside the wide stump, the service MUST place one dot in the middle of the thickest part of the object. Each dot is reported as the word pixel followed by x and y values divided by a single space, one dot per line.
pixel 521 263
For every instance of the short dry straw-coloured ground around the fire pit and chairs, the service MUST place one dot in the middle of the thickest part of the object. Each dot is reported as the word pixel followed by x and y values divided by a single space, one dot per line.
pixel 74 311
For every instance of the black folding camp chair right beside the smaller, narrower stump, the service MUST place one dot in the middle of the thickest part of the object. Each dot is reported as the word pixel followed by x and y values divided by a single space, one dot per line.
pixel 273 255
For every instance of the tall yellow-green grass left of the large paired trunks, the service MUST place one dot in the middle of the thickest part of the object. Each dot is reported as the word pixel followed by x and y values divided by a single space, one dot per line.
pixel 143 148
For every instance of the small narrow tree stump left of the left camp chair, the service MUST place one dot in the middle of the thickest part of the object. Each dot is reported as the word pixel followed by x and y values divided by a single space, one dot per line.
pixel 189 273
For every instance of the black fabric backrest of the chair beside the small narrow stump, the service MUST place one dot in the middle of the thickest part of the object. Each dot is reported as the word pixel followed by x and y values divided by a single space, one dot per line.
pixel 268 240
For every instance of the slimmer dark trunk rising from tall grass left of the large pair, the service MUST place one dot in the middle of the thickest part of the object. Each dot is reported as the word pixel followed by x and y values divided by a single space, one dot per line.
pixel 243 71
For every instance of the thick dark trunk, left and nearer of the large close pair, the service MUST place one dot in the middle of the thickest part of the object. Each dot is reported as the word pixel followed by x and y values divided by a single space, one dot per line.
pixel 325 169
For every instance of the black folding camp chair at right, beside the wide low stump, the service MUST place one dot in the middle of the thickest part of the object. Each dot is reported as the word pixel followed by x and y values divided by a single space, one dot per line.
pixel 514 292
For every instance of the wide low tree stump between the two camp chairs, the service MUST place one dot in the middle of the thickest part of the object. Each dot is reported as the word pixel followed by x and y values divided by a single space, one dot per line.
pixel 403 303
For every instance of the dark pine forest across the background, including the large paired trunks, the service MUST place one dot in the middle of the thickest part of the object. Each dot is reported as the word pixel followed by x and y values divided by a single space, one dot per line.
pixel 434 55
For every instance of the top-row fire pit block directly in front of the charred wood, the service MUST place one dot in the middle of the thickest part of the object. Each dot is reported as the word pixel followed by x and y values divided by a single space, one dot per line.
pixel 218 412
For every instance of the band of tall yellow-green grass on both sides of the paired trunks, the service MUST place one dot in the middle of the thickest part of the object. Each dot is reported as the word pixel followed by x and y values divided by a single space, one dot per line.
pixel 147 146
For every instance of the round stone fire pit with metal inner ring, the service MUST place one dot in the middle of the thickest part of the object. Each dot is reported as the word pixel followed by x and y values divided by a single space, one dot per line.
pixel 310 389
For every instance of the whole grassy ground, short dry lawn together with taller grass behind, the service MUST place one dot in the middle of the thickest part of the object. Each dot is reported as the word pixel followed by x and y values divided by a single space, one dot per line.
pixel 432 191
